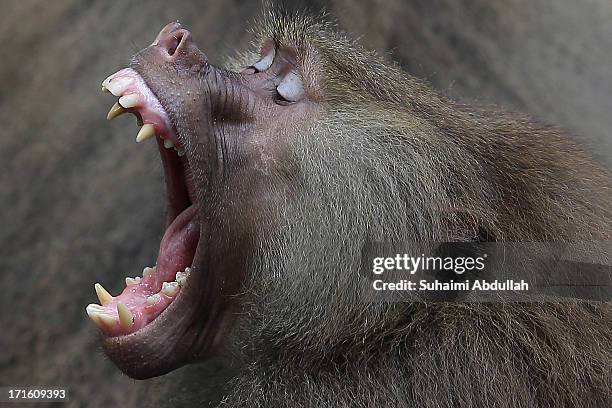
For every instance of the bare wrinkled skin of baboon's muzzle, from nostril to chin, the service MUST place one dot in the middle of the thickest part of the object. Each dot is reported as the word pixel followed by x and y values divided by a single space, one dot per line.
pixel 231 125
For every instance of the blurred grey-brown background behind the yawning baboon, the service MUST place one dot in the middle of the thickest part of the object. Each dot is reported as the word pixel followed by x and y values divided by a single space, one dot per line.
pixel 81 202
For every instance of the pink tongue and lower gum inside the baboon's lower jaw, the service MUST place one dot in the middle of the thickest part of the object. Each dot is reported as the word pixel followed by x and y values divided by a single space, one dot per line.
pixel 176 252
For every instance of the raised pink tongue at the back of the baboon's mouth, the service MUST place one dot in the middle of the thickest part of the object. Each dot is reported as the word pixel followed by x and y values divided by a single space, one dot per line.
pixel 178 245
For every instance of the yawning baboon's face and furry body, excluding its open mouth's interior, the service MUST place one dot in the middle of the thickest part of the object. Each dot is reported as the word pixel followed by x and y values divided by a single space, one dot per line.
pixel 310 146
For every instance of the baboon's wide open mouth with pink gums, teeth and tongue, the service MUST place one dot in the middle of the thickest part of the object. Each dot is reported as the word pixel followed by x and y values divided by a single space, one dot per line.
pixel 146 297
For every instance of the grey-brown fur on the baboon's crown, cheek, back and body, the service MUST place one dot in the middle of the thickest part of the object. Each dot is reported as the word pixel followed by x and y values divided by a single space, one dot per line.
pixel 391 160
